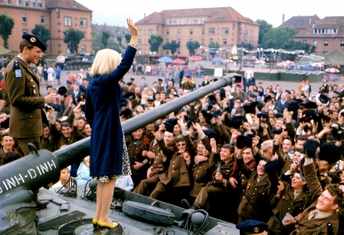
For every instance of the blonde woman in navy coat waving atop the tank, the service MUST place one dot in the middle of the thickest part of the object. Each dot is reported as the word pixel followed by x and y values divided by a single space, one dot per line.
pixel 109 156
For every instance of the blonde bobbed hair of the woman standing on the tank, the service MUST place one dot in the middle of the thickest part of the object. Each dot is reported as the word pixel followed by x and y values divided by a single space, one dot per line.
pixel 105 62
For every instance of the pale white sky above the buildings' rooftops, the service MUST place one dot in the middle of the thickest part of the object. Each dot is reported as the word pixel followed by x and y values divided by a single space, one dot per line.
pixel 113 12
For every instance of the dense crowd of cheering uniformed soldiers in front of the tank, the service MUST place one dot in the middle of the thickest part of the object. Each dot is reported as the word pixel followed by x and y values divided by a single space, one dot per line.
pixel 260 153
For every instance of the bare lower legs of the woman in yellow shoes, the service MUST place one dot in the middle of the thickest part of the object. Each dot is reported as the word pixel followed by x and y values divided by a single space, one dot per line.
pixel 107 190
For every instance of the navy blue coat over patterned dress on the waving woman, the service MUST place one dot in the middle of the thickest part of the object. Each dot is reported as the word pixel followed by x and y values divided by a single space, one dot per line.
pixel 108 152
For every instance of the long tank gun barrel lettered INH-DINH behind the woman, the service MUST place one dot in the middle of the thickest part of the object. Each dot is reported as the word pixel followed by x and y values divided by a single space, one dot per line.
pixel 38 169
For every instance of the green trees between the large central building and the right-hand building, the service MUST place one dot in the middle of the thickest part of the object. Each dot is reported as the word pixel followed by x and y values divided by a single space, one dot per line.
pixel 283 38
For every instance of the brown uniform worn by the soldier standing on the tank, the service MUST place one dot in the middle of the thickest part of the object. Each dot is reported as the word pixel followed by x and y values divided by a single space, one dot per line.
pixel 26 104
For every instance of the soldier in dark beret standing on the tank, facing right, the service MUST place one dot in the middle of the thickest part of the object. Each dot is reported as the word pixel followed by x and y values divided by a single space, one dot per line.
pixel 26 102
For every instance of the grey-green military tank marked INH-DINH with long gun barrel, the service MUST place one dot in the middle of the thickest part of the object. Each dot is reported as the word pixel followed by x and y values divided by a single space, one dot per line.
pixel 26 207
